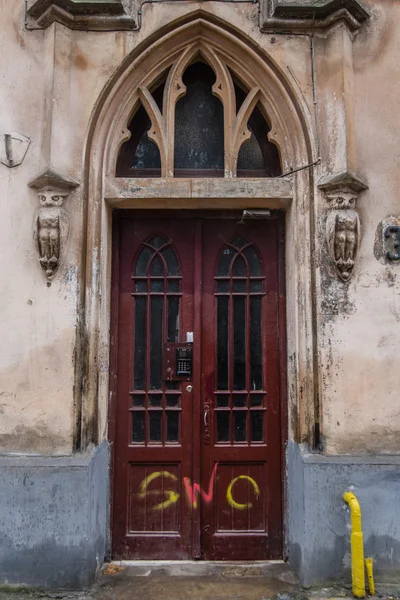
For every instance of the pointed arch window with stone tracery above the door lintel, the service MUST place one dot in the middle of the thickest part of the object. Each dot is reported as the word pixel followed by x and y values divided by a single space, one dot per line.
pixel 200 121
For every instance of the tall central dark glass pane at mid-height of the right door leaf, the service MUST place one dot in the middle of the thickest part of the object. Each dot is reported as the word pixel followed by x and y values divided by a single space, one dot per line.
pixel 239 342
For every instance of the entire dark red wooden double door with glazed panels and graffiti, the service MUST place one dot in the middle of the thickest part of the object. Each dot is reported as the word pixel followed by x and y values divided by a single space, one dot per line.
pixel 197 458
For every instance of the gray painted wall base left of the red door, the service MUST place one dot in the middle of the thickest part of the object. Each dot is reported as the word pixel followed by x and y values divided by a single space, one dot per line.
pixel 54 518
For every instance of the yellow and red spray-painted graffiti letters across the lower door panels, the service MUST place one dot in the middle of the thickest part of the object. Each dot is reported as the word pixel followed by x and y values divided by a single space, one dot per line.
pixel 193 492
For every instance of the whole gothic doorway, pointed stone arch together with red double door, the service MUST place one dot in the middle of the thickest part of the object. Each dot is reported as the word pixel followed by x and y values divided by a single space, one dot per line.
pixel 197 415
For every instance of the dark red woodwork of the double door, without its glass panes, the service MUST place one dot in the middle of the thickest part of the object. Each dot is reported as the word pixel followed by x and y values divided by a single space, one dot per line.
pixel 213 501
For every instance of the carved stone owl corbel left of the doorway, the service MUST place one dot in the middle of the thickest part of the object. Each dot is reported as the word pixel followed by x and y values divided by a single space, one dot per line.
pixel 51 221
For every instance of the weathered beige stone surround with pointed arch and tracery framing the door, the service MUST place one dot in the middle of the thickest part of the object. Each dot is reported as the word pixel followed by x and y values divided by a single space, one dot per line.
pixel 291 126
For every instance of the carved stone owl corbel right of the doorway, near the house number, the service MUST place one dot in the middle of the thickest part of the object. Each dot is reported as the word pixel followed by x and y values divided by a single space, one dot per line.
pixel 343 226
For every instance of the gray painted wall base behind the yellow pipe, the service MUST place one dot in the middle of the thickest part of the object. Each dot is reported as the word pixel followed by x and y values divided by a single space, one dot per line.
pixel 318 521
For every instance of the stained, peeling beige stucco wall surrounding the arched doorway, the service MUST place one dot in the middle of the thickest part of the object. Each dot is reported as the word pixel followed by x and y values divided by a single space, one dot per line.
pixel 50 87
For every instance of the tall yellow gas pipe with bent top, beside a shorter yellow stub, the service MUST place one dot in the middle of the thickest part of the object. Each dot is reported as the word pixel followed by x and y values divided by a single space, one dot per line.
pixel 357 546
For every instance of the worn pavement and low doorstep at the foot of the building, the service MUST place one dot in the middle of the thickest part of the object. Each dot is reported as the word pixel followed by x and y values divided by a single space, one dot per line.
pixel 183 580
